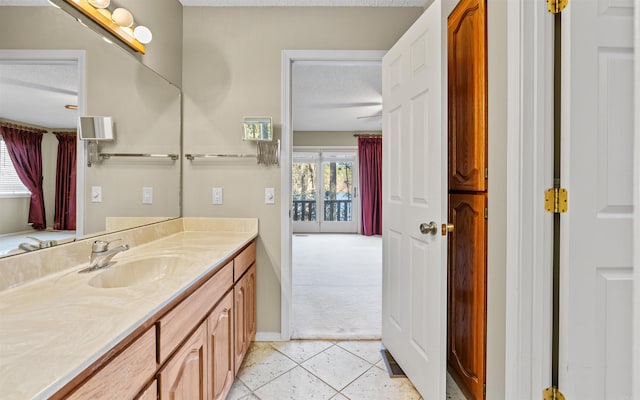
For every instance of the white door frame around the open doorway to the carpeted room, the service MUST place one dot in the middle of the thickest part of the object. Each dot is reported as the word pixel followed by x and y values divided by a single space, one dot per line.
pixel 288 57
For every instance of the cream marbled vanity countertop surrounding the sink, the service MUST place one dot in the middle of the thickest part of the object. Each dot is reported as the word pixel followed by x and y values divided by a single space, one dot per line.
pixel 53 328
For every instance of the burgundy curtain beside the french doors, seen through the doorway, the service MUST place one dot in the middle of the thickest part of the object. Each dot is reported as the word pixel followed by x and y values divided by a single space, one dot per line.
pixel 370 161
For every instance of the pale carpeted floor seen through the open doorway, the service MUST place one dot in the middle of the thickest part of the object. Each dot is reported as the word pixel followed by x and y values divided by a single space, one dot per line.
pixel 337 286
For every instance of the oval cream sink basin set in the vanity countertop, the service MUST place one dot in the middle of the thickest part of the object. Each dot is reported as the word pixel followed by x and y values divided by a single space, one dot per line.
pixel 143 270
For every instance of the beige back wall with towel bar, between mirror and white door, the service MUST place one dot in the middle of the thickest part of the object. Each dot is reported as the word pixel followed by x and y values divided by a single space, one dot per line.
pixel 232 68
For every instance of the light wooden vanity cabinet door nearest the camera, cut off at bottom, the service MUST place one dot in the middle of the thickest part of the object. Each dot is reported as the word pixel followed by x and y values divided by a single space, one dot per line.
pixel 184 377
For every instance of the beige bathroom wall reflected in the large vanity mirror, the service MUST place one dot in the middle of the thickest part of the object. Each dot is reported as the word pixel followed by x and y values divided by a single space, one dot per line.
pixel 145 109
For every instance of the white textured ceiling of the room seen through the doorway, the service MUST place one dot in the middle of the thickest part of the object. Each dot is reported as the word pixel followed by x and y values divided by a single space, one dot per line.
pixel 336 96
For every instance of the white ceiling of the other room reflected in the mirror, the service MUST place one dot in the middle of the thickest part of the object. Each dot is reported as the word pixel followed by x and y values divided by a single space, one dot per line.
pixel 36 93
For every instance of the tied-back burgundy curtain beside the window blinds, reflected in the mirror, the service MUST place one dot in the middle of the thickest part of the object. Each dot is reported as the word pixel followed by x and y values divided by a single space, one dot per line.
pixel 25 150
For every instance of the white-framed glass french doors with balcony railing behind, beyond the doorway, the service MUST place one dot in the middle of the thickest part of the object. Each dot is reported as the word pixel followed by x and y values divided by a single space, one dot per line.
pixel 324 188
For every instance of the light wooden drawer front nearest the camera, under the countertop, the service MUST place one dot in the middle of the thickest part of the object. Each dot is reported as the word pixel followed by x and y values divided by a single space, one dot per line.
pixel 125 375
